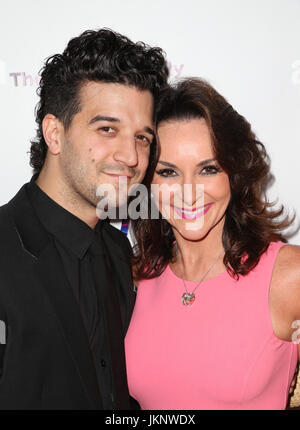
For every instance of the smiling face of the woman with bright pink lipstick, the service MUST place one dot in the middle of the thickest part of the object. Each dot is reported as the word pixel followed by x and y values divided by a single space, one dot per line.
pixel 187 167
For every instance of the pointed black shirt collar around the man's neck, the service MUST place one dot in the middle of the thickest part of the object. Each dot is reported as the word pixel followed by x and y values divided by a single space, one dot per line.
pixel 74 234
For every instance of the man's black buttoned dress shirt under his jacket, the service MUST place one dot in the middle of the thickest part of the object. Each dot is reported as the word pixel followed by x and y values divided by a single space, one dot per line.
pixel 73 239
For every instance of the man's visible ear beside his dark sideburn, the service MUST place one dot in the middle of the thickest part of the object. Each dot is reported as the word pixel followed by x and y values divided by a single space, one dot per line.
pixel 52 132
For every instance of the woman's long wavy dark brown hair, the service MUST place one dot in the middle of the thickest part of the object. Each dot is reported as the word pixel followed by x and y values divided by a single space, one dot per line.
pixel 251 222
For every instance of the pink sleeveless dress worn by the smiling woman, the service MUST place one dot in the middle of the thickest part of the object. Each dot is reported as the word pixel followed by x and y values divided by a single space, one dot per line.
pixel 218 353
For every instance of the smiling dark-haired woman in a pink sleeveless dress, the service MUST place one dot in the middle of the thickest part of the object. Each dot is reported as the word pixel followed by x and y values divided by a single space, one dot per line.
pixel 218 301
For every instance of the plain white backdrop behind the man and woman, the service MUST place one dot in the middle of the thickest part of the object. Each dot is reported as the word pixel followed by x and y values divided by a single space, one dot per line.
pixel 248 49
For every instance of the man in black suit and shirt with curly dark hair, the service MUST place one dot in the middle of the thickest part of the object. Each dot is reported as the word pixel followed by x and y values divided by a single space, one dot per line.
pixel 66 292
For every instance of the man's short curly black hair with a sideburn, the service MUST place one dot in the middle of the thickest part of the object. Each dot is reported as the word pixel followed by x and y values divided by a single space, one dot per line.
pixel 96 55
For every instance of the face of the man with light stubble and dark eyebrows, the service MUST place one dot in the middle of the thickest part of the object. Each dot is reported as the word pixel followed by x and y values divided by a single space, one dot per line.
pixel 110 137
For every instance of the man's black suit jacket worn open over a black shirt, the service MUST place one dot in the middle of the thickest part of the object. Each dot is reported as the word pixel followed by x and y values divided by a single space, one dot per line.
pixel 47 362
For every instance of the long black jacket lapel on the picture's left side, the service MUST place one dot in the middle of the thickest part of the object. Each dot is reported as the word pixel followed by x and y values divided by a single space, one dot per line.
pixel 40 246
